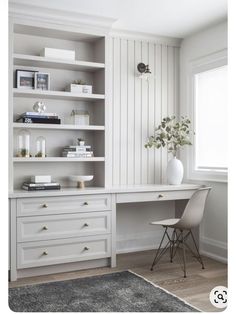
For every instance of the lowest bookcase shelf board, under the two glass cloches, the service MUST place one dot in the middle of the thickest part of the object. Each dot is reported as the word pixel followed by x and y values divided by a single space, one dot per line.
pixel 57 159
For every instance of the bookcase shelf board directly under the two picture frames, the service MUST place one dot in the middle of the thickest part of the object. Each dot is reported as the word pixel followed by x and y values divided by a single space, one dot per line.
pixel 32 93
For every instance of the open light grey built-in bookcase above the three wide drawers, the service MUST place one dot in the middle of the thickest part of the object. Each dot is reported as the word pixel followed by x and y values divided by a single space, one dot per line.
pixel 89 65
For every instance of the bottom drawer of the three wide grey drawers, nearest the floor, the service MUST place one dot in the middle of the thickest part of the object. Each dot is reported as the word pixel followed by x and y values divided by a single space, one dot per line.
pixel 43 253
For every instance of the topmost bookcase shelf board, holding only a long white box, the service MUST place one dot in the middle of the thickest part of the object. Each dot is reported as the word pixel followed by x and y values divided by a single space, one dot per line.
pixel 43 62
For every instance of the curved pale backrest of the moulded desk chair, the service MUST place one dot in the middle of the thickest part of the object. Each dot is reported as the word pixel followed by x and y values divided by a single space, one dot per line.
pixel 194 209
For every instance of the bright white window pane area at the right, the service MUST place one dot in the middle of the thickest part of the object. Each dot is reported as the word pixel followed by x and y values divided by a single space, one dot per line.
pixel 211 119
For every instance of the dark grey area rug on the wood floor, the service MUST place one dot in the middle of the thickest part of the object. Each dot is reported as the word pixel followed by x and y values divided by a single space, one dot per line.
pixel 116 292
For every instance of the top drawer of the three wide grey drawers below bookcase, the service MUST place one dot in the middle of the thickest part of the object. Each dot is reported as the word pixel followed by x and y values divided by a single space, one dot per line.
pixel 62 204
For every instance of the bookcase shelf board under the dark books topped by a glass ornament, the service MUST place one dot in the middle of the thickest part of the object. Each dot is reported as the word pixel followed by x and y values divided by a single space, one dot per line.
pixel 58 126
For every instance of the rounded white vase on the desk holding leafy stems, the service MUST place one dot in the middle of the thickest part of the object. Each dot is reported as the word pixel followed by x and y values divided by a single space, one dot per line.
pixel 175 171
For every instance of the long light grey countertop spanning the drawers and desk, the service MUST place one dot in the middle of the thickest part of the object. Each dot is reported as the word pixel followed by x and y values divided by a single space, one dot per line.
pixel 107 190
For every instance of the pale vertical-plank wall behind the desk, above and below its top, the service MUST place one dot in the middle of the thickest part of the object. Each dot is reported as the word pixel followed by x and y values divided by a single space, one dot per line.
pixel 138 106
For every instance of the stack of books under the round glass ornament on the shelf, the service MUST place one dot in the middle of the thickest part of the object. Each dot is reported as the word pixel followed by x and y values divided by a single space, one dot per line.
pixel 39 117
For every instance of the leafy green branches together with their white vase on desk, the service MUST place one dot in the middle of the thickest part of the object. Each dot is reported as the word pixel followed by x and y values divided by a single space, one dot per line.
pixel 173 135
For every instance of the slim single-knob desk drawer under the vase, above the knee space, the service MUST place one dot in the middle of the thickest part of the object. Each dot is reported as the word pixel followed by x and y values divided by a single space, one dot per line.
pixel 153 196
